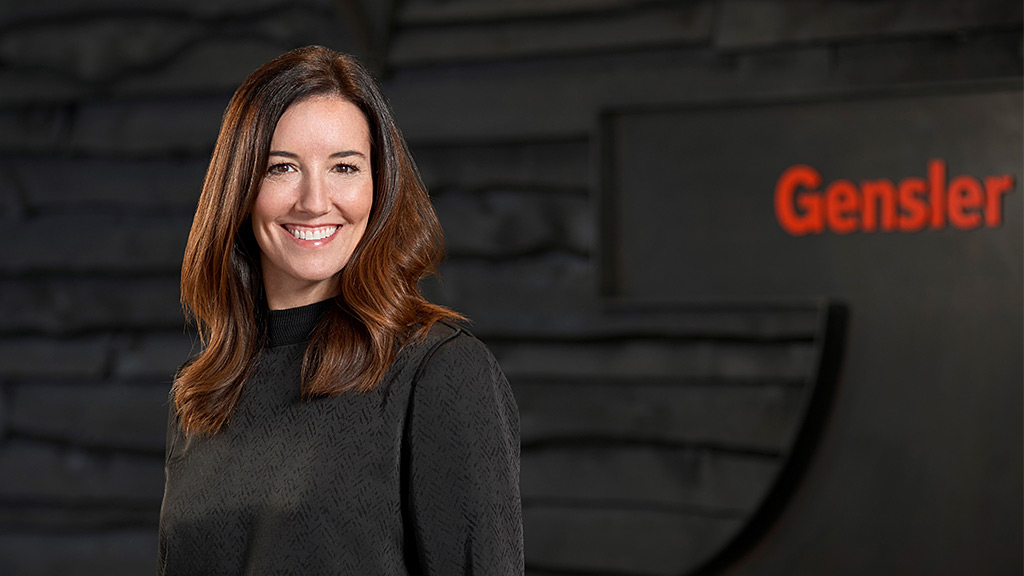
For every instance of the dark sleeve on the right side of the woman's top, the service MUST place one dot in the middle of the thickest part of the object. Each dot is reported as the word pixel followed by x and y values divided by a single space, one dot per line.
pixel 463 483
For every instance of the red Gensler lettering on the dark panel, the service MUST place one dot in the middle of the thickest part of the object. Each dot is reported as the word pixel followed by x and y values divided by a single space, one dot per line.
pixel 802 208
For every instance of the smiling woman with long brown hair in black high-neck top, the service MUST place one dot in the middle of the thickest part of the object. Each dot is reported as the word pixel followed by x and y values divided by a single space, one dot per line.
pixel 335 422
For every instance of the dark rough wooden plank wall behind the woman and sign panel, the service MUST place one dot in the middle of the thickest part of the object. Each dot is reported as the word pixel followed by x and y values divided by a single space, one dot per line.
pixel 108 113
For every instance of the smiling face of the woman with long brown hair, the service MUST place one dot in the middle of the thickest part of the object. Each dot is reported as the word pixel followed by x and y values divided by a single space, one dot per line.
pixel 315 200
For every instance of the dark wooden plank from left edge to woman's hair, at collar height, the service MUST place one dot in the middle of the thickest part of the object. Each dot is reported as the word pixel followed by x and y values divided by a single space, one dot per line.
pixel 61 305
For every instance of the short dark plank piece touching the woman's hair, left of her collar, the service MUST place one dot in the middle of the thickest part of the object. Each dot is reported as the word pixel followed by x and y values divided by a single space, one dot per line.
pixel 155 356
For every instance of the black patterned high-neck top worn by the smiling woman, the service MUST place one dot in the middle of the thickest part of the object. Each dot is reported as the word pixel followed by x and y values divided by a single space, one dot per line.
pixel 420 476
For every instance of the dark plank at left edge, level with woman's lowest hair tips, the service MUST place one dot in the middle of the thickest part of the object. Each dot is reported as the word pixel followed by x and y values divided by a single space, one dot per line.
pixel 113 417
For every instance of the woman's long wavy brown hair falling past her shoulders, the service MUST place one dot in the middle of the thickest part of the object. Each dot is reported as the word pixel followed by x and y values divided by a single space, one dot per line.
pixel 222 283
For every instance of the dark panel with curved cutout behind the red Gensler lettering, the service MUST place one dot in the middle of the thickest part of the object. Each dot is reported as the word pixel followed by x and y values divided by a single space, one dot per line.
pixel 930 406
